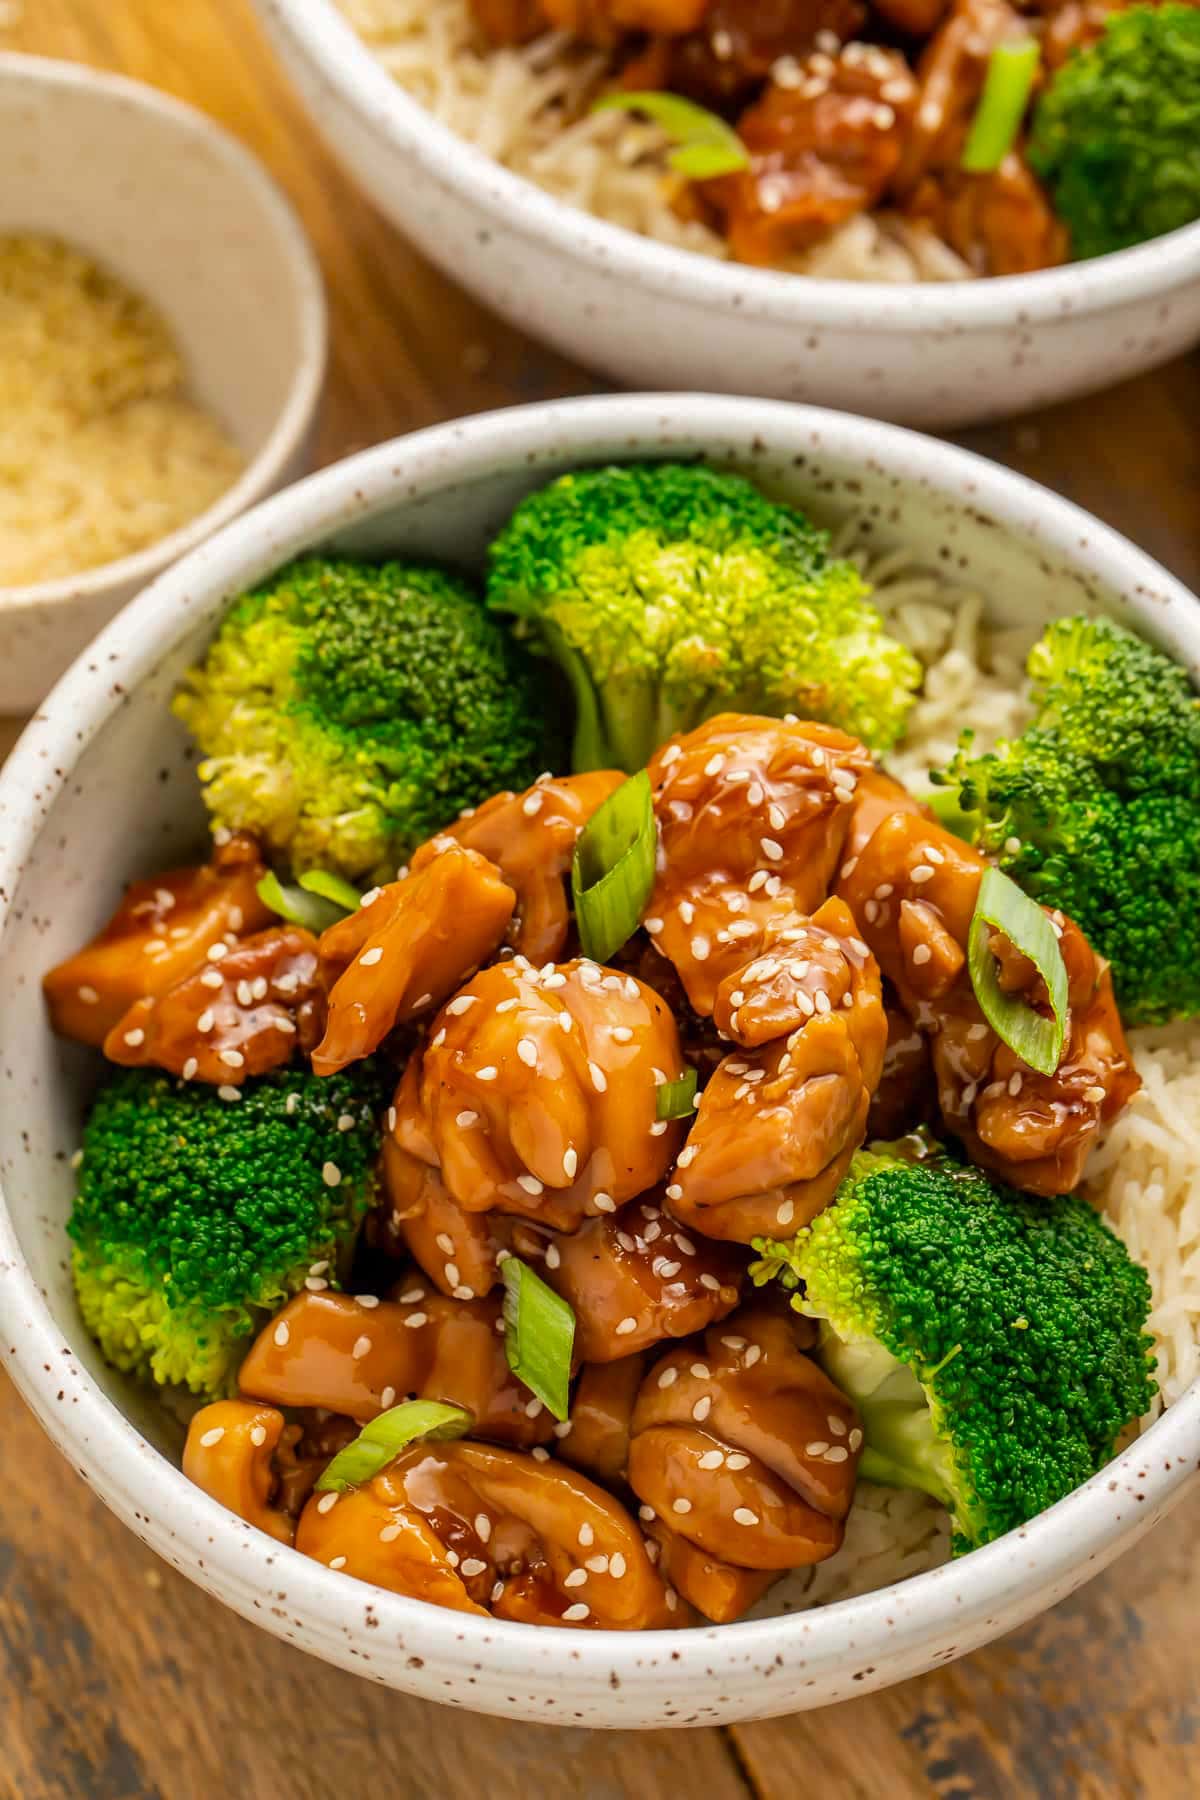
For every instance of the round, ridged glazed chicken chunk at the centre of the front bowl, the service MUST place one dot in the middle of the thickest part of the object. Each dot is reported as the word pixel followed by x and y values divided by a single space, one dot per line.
pixel 537 1092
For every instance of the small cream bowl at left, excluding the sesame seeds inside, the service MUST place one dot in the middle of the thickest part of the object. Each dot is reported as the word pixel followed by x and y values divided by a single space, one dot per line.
pixel 177 208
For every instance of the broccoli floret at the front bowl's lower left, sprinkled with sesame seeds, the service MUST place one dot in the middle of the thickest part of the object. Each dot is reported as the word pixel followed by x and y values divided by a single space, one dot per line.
pixel 197 1214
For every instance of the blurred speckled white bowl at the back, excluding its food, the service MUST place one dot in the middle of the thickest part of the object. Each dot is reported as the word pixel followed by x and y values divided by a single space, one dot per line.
pixel 652 316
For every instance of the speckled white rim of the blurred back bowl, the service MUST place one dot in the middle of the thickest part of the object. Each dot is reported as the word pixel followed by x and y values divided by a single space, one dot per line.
pixel 352 73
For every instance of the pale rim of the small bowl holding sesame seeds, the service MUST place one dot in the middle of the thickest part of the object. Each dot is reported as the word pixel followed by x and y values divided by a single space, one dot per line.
pixel 294 417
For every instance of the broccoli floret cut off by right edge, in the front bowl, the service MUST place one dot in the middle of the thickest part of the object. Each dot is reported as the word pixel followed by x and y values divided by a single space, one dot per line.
pixel 1097 807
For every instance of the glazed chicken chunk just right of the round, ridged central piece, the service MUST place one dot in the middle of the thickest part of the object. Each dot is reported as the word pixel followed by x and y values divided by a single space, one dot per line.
pixel 780 1124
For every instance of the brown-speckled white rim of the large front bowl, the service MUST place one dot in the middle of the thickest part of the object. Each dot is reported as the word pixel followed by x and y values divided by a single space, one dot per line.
pixel 235 1561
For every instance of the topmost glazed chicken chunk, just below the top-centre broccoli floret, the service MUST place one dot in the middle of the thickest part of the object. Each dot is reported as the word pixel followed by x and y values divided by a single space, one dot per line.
pixel 753 820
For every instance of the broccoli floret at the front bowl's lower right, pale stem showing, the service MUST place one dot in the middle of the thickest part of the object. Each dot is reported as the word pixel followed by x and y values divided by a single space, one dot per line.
pixel 992 1342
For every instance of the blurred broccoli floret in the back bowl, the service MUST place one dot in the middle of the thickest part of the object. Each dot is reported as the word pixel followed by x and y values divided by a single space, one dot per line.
pixel 1116 134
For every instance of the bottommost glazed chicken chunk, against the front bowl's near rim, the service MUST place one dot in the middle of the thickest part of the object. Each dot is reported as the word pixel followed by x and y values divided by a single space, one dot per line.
pixel 490 1531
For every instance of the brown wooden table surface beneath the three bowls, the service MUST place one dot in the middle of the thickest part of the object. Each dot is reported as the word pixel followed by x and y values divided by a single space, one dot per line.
pixel 118 1678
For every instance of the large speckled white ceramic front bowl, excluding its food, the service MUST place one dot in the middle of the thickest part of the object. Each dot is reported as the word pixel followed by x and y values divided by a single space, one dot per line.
pixel 103 787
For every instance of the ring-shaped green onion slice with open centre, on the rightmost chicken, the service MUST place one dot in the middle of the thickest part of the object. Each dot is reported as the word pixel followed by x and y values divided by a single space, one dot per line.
pixel 1005 908
